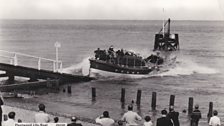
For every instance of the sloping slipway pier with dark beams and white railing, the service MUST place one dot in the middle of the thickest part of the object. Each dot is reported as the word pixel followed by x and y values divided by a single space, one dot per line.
pixel 13 68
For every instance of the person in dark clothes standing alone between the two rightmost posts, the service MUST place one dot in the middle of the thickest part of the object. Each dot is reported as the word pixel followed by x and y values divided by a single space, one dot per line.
pixel 195 116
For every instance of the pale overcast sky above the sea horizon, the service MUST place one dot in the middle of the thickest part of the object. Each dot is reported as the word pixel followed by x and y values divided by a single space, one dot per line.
pixel 113 9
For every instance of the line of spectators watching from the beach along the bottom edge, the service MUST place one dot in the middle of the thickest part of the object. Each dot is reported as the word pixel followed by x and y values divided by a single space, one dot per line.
pixel 130 118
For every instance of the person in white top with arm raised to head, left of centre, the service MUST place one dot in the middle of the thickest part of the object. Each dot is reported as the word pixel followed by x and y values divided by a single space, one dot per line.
pixel 105 120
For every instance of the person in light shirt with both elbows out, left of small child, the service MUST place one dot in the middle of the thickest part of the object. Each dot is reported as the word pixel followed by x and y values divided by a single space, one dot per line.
pixel 130 117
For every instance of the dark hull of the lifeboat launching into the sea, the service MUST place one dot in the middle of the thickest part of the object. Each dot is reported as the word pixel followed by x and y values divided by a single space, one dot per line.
pixel 109 67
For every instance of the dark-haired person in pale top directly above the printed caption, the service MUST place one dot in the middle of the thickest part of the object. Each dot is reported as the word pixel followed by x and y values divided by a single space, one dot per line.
pixel 41 116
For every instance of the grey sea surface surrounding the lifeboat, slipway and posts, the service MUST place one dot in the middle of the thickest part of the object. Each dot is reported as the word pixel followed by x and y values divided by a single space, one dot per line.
pixel 198 72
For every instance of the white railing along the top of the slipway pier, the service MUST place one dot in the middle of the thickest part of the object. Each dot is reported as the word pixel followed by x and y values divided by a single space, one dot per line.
pixel 13 59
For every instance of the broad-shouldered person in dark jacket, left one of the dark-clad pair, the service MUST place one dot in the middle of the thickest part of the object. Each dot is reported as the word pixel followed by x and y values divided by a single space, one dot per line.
pixel 164 120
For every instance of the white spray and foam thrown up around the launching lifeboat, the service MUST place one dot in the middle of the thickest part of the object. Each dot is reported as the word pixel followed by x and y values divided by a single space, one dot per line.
pixel 181 66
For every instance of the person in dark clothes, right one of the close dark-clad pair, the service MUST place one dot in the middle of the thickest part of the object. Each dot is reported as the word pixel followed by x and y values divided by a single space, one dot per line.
pixel 174 116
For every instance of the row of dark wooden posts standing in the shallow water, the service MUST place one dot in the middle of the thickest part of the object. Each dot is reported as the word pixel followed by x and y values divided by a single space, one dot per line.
pixel 153 103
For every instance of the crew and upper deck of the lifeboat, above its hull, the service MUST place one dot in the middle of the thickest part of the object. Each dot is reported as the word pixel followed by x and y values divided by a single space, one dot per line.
pixel 128 58
